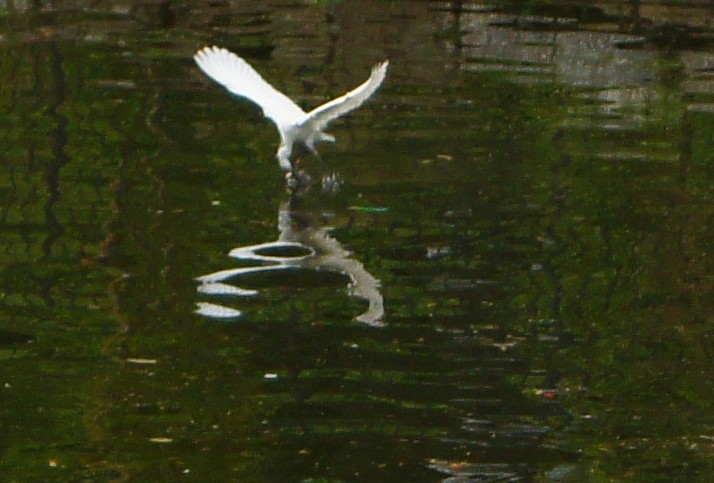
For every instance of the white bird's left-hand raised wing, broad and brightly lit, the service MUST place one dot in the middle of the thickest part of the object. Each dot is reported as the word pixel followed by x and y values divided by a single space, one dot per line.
pixel 236 75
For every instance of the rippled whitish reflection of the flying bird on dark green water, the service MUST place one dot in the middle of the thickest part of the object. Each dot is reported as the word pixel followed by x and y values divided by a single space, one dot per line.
pixel 304 243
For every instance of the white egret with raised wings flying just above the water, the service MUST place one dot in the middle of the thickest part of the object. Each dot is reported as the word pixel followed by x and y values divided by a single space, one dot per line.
pixel 294 124
